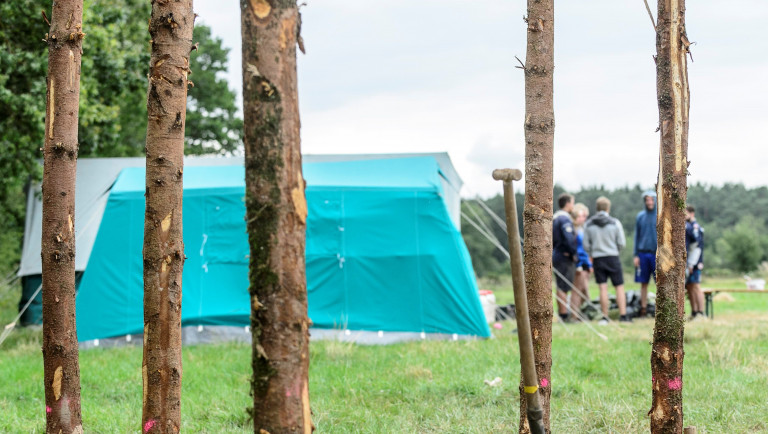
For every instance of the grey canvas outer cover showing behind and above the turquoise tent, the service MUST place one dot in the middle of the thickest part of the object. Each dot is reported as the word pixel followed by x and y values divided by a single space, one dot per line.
pixel 95 177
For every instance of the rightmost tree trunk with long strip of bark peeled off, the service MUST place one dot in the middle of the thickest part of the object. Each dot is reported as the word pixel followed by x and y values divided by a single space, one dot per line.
pixel 673 96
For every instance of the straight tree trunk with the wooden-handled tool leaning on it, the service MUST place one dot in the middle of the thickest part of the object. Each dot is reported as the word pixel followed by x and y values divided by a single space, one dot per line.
pixel 537 214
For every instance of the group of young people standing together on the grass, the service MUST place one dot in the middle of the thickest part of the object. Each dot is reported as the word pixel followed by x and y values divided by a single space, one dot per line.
pixel 582 246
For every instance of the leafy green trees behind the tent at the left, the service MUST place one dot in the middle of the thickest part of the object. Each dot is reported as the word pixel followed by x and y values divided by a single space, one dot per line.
pixel 113 110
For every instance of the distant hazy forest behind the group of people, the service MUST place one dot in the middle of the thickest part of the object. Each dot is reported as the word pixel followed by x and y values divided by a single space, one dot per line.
pixel 733 217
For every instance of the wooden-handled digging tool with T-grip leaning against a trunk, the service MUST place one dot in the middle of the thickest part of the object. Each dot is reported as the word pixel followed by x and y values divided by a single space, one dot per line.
pixel 527 363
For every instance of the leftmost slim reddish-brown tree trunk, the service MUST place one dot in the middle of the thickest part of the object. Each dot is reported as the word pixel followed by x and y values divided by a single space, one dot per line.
pixel 60 350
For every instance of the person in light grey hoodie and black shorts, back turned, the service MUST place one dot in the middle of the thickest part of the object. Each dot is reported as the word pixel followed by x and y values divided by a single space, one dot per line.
pixel 603 240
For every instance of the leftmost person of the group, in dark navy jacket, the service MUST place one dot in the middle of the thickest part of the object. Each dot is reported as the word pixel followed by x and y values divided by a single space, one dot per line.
pixel 563 251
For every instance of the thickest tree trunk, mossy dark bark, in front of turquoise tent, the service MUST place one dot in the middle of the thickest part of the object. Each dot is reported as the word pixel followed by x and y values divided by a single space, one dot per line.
pixel 276 218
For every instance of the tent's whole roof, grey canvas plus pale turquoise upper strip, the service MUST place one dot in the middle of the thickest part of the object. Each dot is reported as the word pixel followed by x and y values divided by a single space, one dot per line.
pixel 96 177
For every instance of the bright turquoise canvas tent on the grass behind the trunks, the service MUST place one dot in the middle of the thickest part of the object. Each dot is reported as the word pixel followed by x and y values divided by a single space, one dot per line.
pixel 383 253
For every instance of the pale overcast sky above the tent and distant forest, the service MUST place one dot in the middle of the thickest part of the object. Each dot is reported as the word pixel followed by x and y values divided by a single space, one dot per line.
pixel 440 76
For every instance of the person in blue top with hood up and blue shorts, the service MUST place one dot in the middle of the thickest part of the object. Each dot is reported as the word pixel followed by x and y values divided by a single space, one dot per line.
pixel 645 248
